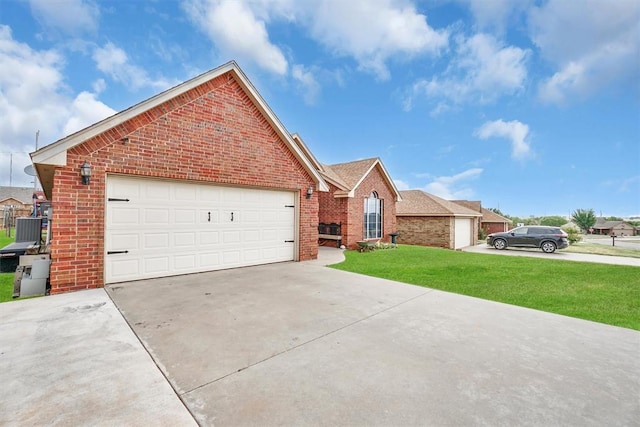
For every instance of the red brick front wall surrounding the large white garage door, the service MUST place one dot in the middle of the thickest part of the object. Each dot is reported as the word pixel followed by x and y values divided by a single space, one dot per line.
pixel 212 133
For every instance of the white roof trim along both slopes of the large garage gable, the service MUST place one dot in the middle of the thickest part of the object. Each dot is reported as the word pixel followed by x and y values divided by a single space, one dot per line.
pixel 55 153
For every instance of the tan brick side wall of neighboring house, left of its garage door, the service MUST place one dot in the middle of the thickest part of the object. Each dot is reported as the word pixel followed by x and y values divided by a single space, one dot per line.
pixel 435 231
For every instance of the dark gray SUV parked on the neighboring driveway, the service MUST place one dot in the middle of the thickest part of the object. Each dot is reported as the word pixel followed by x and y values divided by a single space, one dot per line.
pixel 530 236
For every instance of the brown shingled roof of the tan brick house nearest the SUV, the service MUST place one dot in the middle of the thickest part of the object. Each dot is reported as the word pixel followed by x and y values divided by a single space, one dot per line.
pixel 420 203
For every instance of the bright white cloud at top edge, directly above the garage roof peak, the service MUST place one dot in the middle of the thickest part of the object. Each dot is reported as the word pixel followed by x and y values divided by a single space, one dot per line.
pixel 237 32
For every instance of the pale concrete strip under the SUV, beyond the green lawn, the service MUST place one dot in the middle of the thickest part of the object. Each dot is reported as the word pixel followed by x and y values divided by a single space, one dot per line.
pixel 558 255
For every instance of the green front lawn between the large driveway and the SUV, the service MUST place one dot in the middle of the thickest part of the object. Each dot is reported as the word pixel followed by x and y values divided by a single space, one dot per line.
pixel 600 292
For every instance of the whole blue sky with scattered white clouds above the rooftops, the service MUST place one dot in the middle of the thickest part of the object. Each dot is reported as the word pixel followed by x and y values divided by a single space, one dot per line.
pixel 530 106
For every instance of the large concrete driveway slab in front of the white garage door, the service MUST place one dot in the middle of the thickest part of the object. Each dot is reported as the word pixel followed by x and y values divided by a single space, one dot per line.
pixel 301 344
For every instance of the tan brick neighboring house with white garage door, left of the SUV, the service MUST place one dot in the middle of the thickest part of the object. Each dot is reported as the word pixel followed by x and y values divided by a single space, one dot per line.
pixel 428 220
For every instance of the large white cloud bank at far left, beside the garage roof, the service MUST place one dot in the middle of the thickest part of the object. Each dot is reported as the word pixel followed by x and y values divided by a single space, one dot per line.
pixel 34 97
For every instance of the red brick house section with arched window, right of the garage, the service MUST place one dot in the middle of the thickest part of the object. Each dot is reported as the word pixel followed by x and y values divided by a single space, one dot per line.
pixel 360 204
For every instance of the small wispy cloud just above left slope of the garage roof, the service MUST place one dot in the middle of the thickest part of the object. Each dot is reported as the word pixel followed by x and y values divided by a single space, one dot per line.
pixel 114 62
